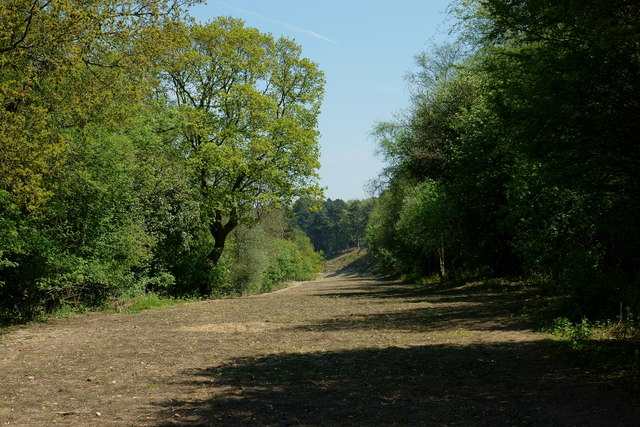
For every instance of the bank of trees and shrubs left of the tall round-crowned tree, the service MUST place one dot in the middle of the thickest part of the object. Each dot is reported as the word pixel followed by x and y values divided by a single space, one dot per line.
pixel 74 79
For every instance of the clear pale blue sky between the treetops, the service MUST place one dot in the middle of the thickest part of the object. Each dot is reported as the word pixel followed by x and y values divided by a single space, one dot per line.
pixel 365 48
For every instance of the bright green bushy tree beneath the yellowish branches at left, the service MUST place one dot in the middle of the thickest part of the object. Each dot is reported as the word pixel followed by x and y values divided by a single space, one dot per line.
pixel 91 240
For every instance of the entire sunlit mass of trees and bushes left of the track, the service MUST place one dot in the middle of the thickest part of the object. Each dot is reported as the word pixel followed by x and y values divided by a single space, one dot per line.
pixel 103 194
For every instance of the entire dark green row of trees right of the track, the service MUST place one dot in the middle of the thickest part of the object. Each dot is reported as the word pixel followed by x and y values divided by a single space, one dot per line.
pixel 520 154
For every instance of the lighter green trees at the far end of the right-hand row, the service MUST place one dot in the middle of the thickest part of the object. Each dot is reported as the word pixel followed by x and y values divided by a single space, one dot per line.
pixel 445 186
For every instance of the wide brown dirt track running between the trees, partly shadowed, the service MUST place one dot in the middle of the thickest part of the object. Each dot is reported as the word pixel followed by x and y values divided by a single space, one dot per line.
pixel 344 350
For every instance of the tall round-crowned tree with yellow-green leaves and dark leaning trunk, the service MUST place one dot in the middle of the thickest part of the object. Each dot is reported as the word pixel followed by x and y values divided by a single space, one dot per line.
pixel 248 107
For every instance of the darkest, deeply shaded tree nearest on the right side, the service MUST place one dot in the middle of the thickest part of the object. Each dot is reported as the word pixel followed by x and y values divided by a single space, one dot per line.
pixel 563 85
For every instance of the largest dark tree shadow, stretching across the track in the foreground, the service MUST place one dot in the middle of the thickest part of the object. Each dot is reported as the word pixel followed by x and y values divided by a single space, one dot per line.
pixel 497 384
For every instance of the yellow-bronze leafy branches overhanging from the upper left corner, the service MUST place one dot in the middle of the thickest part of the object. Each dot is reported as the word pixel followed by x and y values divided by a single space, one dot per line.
pixel 64 64
